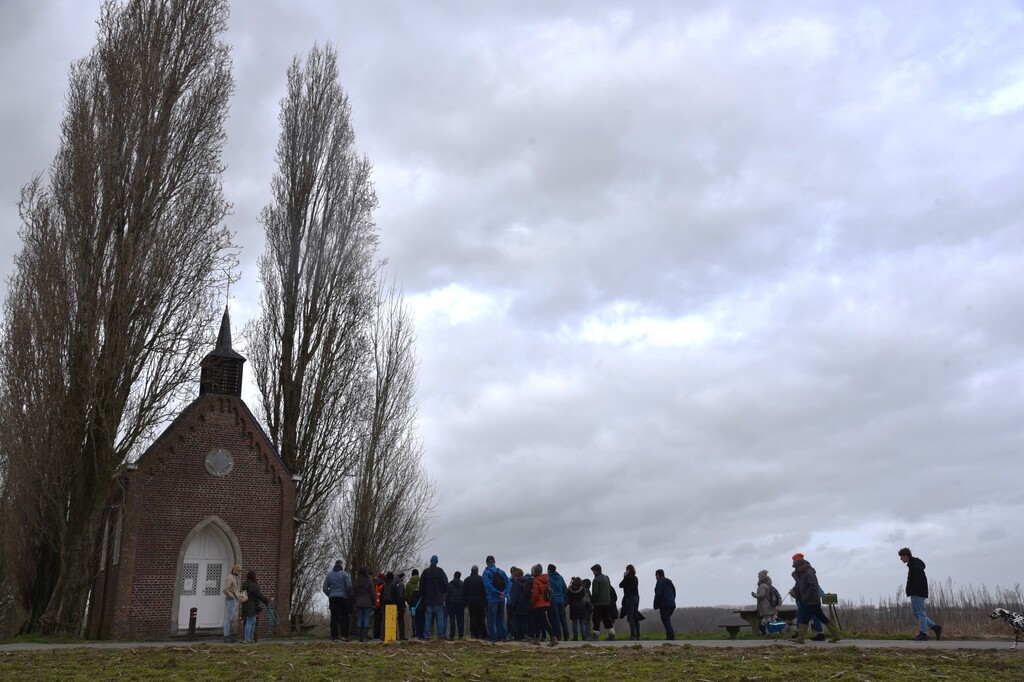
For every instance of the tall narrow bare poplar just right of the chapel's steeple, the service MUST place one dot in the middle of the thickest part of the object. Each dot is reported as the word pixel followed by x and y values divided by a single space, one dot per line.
pixel 308 347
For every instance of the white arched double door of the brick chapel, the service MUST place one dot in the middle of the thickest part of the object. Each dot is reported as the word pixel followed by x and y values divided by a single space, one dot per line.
pixel 203 573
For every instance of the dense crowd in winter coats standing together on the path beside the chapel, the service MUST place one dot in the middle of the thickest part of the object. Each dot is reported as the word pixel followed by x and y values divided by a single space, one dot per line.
pixel 520 606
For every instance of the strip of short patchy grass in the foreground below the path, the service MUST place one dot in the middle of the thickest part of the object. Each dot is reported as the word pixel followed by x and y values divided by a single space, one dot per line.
pixel 480 663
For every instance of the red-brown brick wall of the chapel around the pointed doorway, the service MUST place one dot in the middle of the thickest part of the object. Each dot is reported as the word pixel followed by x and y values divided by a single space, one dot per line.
pixel 172 493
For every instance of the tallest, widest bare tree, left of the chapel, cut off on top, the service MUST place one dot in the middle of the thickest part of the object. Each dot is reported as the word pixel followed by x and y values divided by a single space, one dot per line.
pixel 113 292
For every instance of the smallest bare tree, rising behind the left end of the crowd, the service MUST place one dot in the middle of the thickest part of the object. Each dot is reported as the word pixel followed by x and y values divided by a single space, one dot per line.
pixel 382 520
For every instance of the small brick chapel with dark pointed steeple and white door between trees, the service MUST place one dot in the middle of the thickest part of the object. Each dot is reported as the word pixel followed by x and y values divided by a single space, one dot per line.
pixel 209 493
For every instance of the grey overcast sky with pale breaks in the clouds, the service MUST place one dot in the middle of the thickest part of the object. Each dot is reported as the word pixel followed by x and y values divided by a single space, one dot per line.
pixel 697 285
